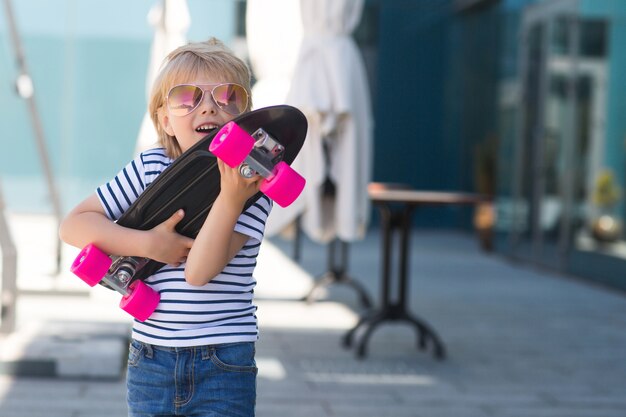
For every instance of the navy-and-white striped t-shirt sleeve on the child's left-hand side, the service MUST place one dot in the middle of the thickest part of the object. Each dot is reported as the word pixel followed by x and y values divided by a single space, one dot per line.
pixel 117 195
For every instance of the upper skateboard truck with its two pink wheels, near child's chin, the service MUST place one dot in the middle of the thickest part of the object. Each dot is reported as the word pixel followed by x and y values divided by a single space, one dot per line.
pixel 261 154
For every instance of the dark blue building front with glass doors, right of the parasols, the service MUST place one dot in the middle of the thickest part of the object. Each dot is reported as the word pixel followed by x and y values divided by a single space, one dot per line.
pixel 524 100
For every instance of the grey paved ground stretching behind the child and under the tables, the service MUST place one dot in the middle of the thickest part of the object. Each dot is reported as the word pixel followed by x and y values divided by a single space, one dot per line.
pixel 521 342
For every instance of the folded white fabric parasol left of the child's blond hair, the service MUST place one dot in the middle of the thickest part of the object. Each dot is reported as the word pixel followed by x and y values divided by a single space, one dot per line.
pixel 170 20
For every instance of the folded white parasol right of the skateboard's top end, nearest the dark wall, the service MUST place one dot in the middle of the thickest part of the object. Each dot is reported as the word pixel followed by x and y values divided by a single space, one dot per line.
pixel 329 85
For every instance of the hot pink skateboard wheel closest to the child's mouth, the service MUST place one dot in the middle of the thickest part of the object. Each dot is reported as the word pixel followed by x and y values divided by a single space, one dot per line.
pixel 231 144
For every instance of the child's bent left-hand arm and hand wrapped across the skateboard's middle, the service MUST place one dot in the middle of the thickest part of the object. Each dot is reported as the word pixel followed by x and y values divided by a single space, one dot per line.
pixel 87 223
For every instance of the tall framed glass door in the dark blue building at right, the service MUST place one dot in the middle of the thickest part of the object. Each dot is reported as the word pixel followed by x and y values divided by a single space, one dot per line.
pixel 559 134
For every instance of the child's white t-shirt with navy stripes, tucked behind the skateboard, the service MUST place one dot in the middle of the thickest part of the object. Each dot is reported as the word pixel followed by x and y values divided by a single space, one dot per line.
pixel 218 312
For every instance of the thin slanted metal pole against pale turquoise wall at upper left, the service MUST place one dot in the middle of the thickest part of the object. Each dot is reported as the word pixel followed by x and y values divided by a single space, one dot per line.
pixel 26 90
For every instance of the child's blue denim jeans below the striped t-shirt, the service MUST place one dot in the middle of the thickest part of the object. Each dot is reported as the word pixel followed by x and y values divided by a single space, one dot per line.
pixel 202 381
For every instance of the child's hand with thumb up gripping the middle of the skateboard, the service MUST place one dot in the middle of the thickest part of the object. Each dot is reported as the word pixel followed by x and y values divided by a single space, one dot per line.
pixel 166 244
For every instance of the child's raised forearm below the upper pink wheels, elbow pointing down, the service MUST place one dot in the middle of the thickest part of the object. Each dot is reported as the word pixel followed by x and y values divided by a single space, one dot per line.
pixel 217 243
